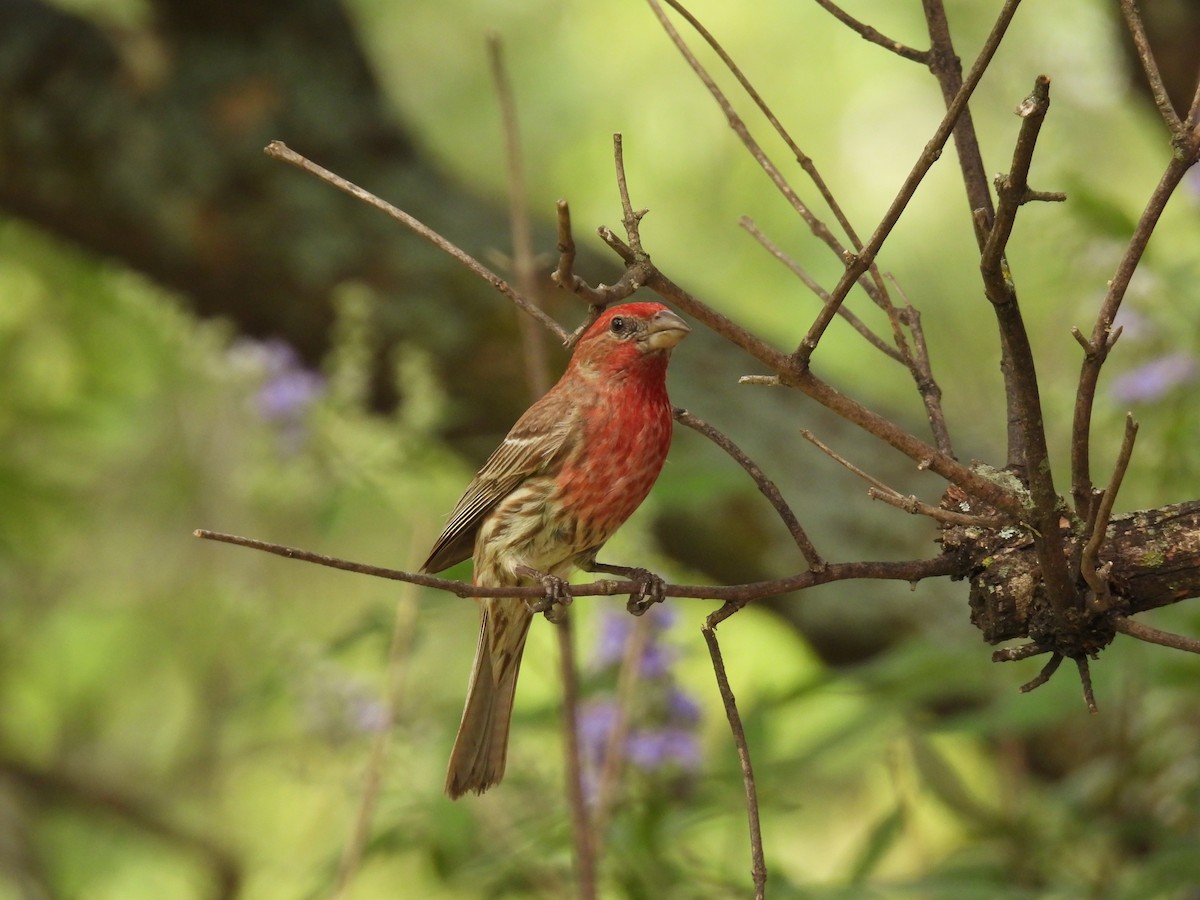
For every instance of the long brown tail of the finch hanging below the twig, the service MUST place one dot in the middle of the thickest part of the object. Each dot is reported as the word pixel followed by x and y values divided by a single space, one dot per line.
pixel 477 761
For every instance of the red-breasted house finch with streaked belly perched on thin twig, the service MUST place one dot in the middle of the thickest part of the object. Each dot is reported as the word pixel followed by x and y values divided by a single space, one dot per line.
pixel 569 473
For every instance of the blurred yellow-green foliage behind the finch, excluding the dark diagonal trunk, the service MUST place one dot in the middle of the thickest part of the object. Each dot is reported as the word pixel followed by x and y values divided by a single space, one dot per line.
pixel 185 704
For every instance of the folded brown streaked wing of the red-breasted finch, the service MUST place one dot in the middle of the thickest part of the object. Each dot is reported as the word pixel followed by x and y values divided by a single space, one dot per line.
pixel 532 447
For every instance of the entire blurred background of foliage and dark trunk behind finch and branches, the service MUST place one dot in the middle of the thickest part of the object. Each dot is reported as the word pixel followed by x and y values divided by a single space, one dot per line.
pixel 196 337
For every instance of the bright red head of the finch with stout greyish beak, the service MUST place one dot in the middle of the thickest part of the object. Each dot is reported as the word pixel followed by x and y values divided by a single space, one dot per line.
pixel 629 337
